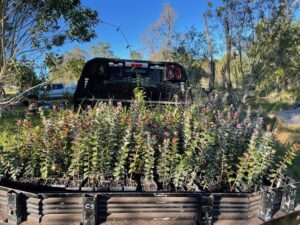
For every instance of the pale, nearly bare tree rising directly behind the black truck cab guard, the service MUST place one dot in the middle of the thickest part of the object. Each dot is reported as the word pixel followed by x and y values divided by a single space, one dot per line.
pixel 158 38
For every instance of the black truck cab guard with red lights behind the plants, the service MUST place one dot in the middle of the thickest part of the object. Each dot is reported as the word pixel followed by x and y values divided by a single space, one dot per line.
pixel 103 79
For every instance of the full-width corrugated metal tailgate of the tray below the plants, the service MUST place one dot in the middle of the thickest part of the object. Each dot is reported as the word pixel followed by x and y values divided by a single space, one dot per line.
pixel 66 208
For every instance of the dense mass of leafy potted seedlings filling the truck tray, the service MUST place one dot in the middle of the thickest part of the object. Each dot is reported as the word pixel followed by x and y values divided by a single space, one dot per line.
pixel 208 146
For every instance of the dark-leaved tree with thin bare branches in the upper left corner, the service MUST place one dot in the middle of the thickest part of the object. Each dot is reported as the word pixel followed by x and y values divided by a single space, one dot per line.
pixel 31 27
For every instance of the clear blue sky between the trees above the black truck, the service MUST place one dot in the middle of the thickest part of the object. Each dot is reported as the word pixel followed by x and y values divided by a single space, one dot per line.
pixel 134 17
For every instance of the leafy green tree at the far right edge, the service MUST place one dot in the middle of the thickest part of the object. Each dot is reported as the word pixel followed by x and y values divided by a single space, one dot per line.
pixel 276 51
